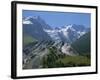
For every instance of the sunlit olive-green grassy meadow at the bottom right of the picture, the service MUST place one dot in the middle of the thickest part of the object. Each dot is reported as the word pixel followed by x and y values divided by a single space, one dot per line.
pixel 74 61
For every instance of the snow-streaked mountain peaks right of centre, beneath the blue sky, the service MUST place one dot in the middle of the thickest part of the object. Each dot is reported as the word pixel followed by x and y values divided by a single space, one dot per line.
pixel 67 33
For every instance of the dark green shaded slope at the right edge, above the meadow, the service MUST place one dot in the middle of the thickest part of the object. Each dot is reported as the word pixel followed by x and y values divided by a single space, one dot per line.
pixel 82 45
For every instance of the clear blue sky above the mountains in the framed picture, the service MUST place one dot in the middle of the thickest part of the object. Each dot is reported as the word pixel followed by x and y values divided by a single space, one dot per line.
pixel 58 19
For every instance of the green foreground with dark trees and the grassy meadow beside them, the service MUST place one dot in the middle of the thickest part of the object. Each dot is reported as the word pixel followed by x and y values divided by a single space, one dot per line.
pixel 53 59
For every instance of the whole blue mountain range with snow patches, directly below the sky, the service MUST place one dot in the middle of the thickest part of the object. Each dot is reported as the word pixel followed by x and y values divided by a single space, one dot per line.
pixel 37 28
